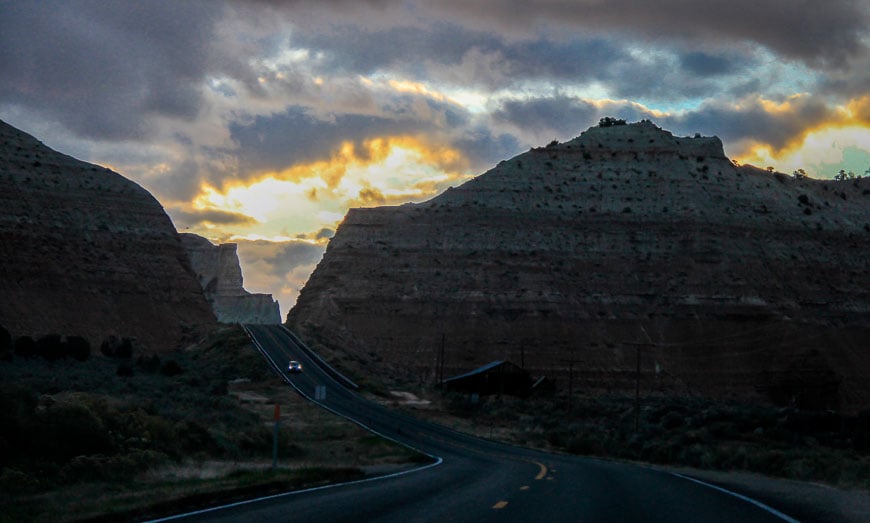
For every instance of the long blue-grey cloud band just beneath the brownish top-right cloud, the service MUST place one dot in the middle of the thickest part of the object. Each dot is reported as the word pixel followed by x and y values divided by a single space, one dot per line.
pixel 462 56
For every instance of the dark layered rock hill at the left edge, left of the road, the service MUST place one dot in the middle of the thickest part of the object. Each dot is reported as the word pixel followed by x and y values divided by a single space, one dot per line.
pixel 84 251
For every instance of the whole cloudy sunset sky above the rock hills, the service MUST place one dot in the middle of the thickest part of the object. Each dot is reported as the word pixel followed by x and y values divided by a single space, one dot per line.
pixel 262 122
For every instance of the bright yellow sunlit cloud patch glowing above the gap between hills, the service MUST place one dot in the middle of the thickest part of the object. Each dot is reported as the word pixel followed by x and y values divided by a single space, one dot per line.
pixel 304 198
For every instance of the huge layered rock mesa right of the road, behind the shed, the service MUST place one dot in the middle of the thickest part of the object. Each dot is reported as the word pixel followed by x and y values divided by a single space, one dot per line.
pixel 626 240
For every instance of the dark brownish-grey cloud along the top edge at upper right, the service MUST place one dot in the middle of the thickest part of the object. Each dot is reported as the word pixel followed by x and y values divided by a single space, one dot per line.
pixel 822 33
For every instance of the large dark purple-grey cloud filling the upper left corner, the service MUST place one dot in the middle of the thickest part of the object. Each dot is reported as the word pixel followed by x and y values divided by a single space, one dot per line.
pixel 101 67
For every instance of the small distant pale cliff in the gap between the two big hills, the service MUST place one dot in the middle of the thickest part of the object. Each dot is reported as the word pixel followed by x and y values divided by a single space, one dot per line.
pixel 219 273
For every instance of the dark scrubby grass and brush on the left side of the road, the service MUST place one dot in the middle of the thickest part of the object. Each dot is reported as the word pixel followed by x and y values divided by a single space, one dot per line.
pixel 168 444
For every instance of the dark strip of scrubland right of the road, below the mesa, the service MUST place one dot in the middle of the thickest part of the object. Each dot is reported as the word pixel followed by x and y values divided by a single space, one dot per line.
pixel 676 431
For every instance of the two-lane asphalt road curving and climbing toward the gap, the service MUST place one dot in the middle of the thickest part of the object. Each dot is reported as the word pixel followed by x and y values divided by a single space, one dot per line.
pixel 479 480
